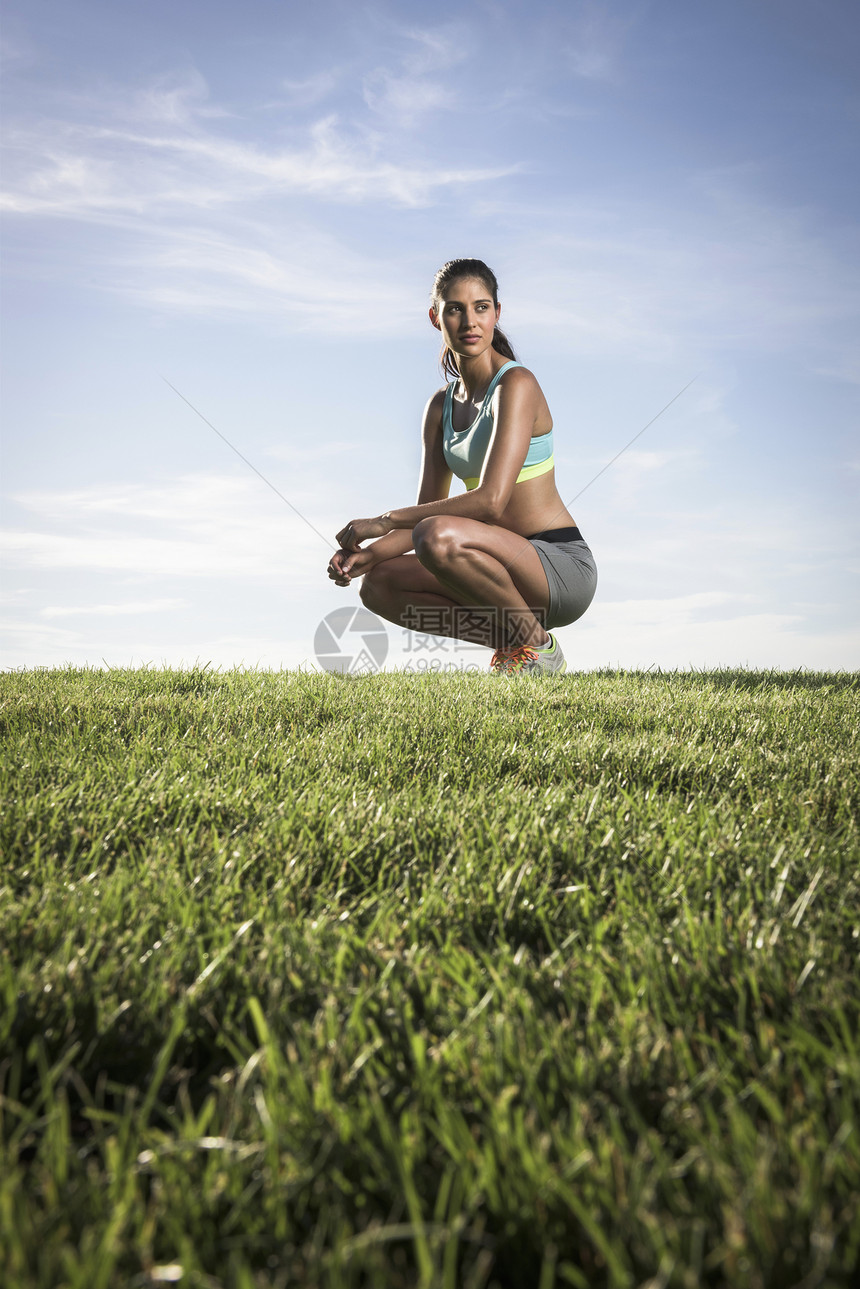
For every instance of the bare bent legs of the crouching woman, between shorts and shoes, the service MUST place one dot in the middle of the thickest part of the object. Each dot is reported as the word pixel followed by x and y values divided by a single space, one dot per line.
pixel 471 581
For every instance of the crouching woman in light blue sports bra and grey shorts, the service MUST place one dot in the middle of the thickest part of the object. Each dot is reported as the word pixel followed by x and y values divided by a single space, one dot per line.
pixel 503 563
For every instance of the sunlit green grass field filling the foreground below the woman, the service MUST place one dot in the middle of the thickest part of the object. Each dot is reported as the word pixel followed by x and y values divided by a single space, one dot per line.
pixel 443 982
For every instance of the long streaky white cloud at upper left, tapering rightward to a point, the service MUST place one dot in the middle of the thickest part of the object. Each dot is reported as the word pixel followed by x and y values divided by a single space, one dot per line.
pixel 166 155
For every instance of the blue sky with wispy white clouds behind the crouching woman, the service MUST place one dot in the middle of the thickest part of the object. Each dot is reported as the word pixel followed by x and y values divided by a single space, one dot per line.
pixel 237 212
